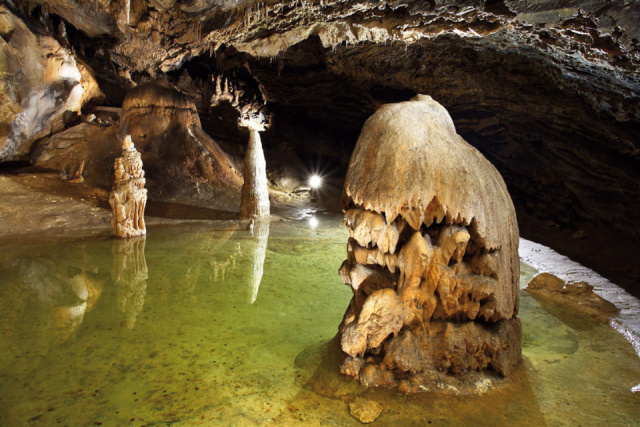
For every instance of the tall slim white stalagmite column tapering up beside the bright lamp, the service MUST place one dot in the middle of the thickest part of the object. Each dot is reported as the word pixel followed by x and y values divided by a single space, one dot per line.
pixel 255 194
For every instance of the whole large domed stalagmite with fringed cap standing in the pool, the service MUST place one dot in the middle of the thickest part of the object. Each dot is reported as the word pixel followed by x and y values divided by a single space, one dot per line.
pixel 433 254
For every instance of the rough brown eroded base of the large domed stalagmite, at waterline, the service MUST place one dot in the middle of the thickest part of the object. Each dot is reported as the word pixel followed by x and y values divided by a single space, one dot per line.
pixel 424 357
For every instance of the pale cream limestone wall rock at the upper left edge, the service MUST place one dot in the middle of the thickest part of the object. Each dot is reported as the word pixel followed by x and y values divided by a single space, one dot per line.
pixel 42 86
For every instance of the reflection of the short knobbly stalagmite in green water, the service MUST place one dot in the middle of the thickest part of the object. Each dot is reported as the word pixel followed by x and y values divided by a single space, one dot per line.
pixel 129 274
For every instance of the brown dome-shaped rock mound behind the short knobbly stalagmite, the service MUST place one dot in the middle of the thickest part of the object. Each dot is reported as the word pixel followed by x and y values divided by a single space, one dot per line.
pixel 178 155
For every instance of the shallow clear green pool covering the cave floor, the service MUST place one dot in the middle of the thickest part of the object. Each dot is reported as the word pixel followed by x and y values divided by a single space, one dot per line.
pixel 203 324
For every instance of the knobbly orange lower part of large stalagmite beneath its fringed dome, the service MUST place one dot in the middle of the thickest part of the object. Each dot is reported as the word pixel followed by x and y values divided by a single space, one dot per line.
pixel 410 281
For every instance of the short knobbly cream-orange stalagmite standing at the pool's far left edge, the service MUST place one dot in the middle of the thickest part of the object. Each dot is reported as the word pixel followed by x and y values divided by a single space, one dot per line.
pixel 128 196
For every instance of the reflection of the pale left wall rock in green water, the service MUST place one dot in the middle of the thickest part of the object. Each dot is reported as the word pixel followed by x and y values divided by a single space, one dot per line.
pixel 43 302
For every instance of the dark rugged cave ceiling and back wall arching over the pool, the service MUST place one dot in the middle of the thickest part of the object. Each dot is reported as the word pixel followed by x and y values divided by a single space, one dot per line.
pixel 548 90
